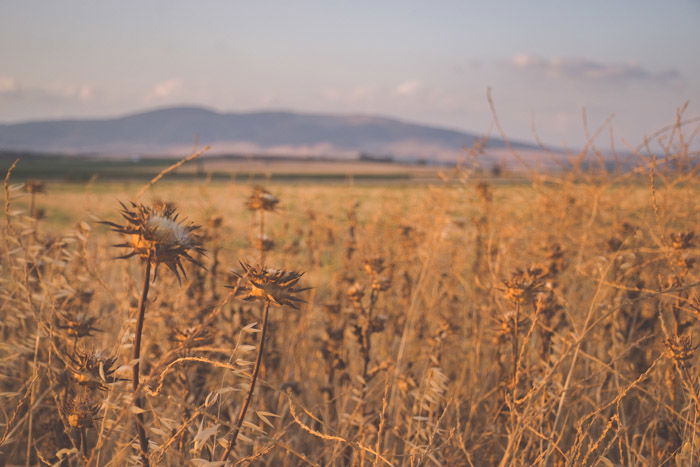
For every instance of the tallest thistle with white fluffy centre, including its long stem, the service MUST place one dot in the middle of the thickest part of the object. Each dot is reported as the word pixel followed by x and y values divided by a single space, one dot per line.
pixel 157 236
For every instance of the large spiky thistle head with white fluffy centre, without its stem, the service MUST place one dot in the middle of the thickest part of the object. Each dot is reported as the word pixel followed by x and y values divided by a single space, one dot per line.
pixel 156 234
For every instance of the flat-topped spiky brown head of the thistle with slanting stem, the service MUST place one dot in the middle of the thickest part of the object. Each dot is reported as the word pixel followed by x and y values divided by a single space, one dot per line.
pixel 271 285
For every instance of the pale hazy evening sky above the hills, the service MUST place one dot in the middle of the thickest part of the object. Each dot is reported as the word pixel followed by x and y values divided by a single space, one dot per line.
pixel 547 63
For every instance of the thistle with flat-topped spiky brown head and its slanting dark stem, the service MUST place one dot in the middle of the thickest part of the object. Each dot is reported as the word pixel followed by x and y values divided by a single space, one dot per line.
pixel 268 286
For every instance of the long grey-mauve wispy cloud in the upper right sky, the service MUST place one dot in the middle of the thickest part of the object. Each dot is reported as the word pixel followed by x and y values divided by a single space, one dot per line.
pixel 591 70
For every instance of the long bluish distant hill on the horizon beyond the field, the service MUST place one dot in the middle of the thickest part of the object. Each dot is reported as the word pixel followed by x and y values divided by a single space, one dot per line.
pixel 173 131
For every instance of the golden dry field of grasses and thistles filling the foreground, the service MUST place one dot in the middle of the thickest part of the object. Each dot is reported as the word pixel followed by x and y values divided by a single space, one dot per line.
pixel 472 322
